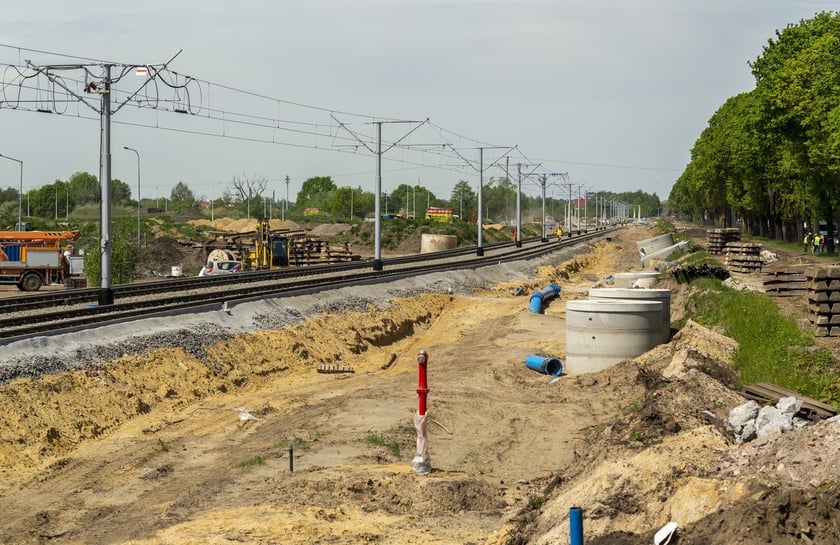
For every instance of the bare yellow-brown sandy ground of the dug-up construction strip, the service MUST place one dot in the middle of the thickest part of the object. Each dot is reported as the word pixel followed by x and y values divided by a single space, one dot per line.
pixel 149 450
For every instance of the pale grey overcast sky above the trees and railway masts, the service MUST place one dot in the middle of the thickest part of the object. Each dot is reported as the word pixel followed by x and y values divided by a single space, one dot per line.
pixel 610 94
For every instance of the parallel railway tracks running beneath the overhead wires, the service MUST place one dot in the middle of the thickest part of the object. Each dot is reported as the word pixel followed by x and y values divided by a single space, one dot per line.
pixel 76 310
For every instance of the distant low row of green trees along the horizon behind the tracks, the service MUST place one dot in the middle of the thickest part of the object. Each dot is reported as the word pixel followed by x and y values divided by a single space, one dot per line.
pixel 246 196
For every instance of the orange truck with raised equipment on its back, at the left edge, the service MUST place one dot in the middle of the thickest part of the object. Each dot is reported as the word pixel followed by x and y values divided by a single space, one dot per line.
pixel 30 259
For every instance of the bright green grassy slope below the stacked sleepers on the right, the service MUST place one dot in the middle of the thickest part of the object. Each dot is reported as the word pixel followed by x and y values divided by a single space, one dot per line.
pixel 772 347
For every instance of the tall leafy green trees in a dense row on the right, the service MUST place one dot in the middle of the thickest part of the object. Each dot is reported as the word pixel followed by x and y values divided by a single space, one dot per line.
pixel 769 159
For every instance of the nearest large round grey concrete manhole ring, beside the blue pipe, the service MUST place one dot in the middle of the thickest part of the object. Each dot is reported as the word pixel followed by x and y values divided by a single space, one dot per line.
pixel 603 332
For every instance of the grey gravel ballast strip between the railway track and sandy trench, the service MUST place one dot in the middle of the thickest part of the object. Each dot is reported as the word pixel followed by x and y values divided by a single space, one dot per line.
pixel 51 354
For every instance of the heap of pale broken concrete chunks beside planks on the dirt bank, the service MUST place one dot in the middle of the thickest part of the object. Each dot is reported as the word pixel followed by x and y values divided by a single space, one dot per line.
pixel 748 421
